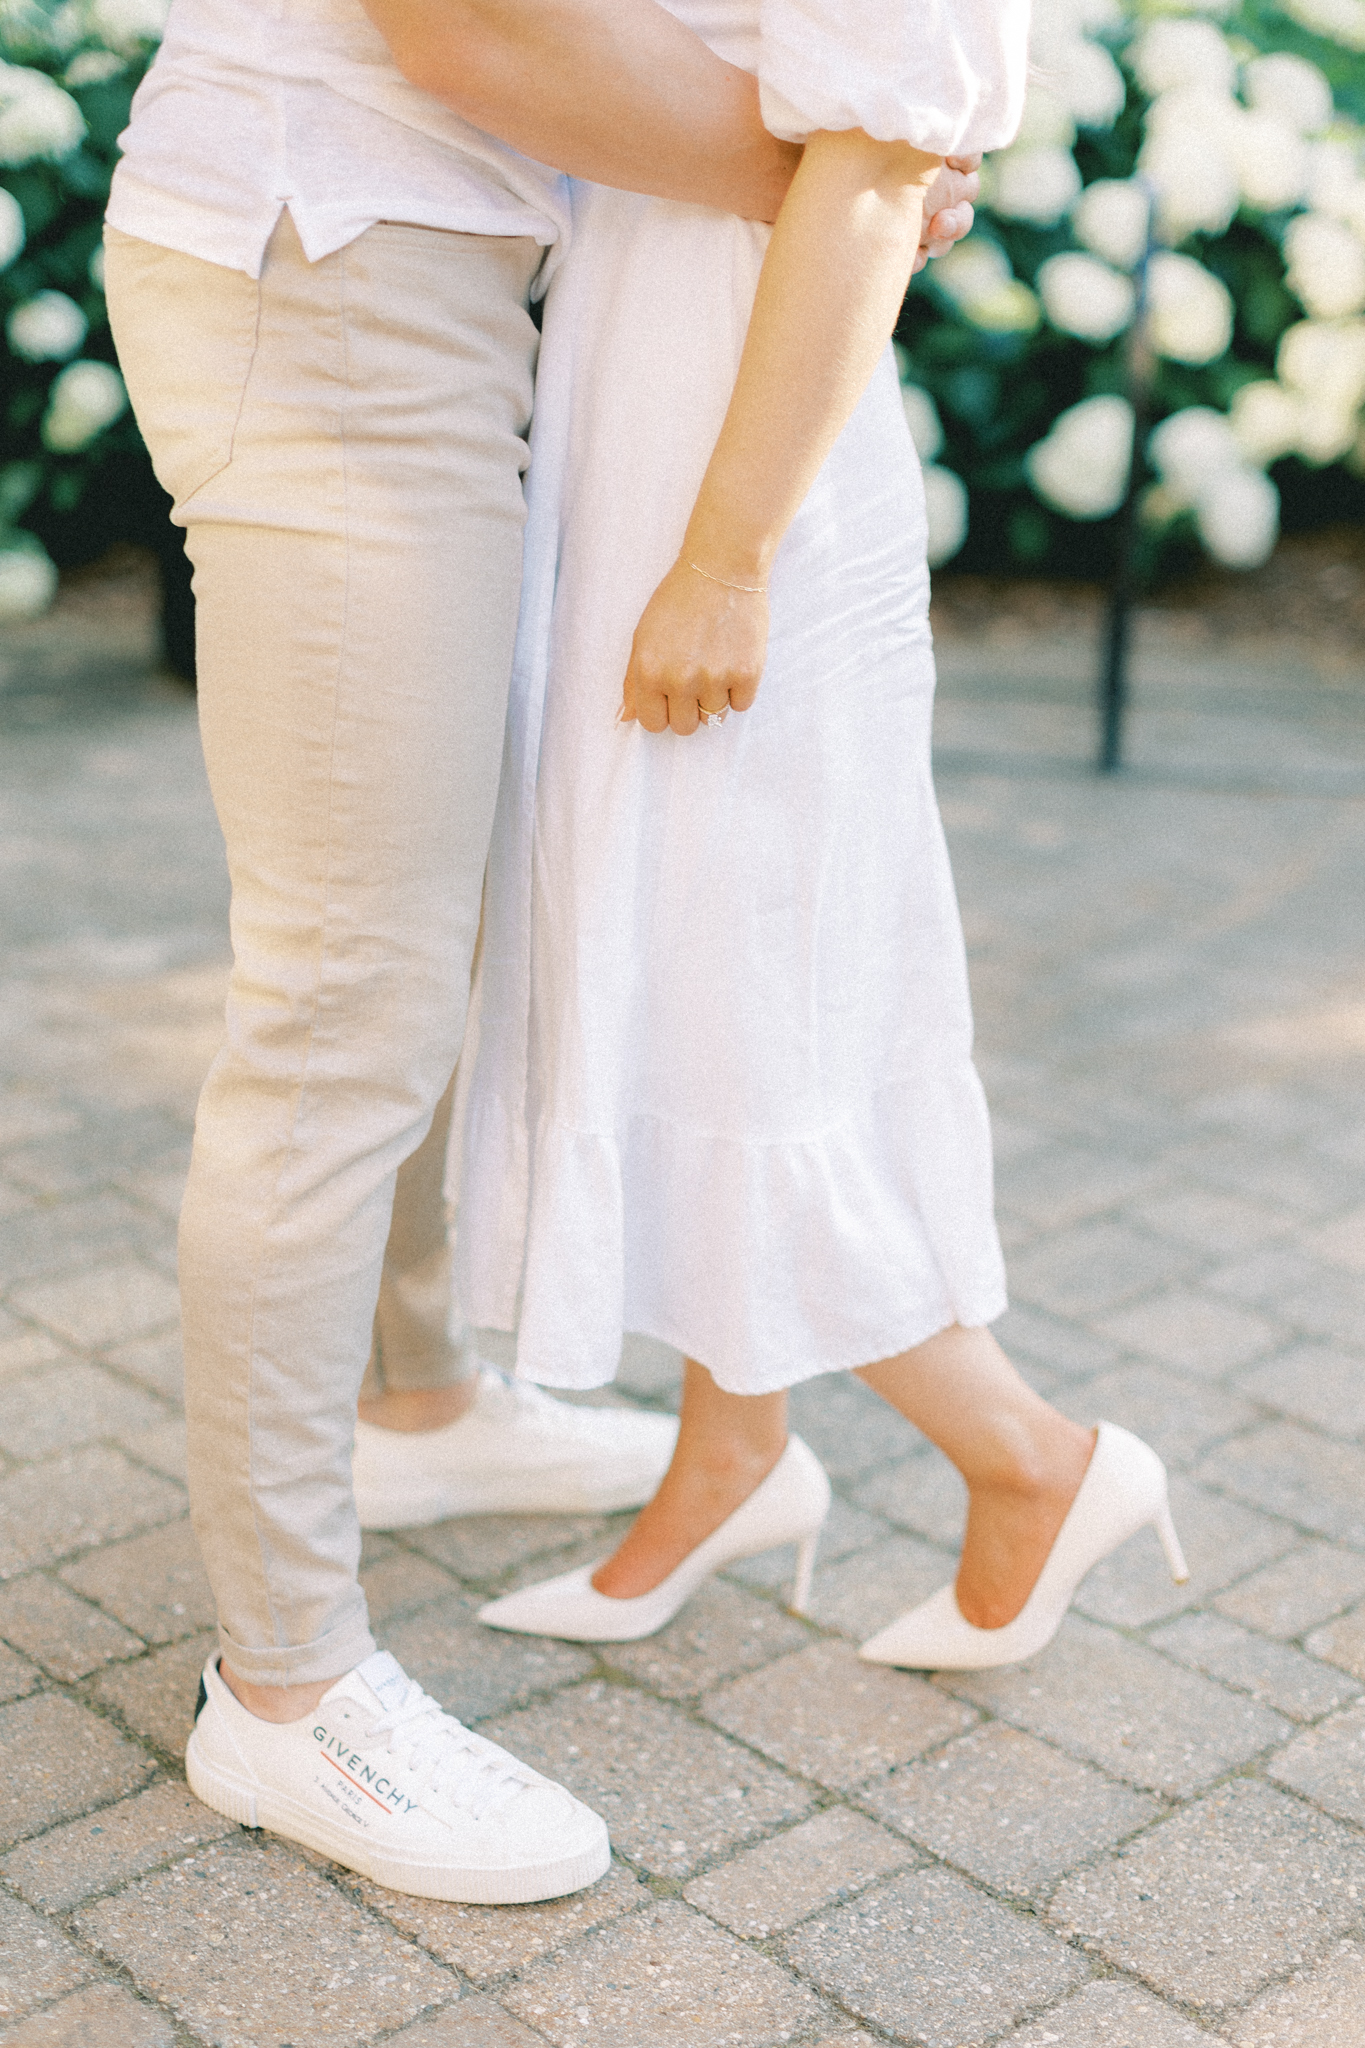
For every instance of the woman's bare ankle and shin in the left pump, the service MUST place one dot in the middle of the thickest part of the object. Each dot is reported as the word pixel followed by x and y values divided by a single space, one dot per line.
pixel 728 1445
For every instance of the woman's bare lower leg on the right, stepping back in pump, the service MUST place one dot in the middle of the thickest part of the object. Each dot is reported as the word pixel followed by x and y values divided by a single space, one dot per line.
pixel 1022 1461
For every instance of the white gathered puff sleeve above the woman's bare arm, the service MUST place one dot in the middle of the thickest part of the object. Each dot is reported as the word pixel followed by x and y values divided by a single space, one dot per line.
pixel 942 75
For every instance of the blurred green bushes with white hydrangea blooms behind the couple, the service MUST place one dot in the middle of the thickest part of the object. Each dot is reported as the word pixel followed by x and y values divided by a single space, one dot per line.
pixel 1237 323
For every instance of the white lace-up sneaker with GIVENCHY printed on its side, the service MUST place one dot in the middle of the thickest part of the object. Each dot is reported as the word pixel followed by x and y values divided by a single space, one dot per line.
pixel 388 1785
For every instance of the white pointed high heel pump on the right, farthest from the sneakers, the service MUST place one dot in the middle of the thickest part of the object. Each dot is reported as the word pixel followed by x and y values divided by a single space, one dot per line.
pixel 1122 1492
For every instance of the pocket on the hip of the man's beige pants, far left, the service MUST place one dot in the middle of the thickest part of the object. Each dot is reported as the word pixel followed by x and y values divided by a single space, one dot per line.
pixel 187 339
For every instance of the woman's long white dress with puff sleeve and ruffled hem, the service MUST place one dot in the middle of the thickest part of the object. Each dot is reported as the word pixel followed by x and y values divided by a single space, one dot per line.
pixel 719 1082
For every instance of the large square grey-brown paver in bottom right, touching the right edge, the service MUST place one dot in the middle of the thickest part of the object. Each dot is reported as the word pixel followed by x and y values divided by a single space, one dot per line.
pixel 1229 1893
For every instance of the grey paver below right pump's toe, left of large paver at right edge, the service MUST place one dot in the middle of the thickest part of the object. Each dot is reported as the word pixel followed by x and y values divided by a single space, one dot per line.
pixel 1008 1809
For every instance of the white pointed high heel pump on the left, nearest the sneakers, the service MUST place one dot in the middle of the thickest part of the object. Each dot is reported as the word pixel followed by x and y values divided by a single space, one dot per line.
pixel 789 1506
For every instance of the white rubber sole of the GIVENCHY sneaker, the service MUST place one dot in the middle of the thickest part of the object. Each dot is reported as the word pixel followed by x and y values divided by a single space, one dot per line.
pixel 255 1805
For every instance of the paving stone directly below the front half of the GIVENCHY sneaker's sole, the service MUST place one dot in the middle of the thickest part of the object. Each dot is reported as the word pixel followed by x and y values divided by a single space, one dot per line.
pixel 488 1943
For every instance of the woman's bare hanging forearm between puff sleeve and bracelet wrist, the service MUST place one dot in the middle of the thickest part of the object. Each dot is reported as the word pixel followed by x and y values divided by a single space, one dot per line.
pixel 828 302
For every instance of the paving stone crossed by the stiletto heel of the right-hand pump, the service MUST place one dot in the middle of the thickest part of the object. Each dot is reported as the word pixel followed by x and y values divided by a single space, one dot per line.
pixel 1133 1586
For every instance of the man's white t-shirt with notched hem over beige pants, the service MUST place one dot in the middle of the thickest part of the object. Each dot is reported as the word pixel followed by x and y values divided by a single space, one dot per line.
pixel 259 105
